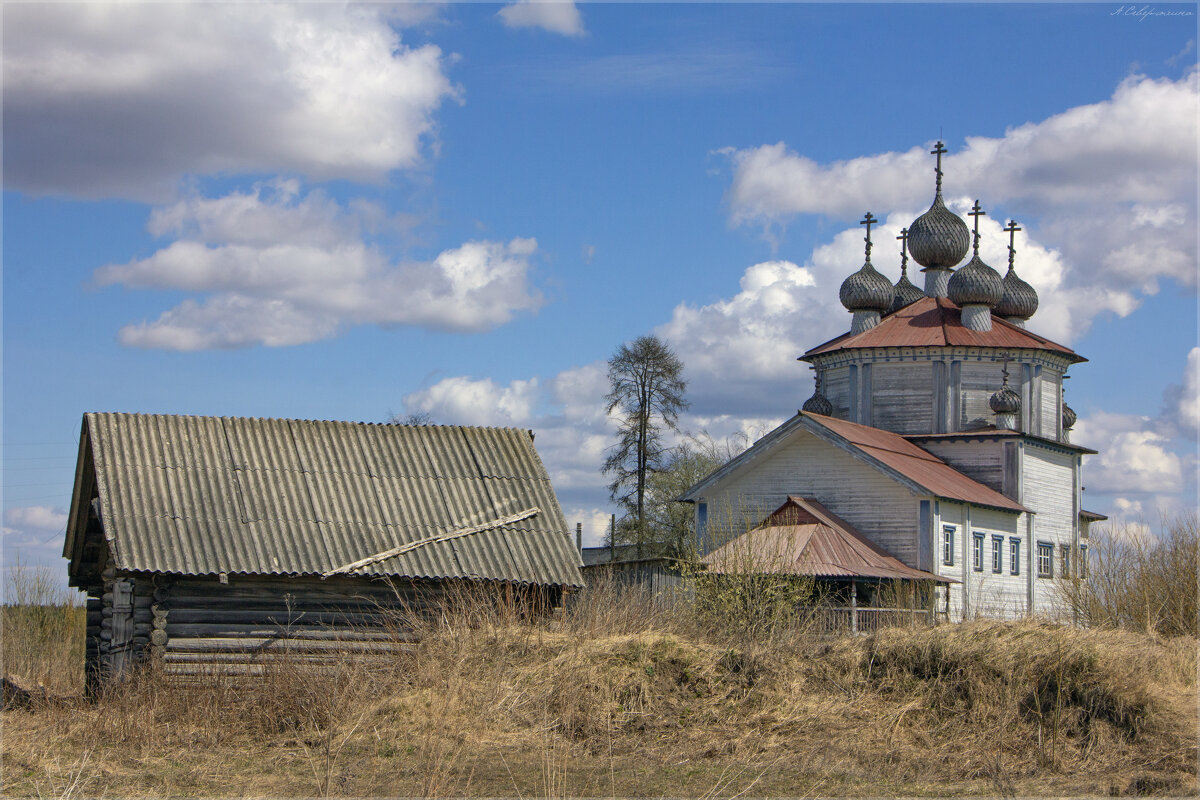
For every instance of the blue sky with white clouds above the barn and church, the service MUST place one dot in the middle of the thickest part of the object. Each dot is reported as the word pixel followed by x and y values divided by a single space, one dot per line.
pixel 464 209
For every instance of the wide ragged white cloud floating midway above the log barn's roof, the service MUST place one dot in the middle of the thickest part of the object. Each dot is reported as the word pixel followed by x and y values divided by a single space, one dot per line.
pixel 284 268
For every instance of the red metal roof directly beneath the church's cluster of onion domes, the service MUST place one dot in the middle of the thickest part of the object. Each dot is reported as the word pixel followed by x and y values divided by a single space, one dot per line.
pixel 935 322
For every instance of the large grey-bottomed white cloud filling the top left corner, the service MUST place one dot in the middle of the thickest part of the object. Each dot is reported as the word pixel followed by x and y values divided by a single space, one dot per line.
pixel 123 100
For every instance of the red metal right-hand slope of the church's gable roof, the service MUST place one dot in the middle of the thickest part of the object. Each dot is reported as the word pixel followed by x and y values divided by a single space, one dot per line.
pixel 919 466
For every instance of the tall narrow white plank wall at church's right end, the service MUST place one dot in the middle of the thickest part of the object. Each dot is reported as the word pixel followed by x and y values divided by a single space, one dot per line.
pixel 1049 490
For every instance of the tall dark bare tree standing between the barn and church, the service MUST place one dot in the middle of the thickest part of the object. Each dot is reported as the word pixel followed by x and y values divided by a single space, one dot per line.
pixel 646 387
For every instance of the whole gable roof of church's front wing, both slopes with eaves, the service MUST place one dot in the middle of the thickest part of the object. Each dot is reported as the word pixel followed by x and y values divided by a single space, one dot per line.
pixel 890 453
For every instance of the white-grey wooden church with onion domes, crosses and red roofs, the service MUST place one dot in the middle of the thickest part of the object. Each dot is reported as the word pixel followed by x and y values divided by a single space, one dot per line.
pixel 938 430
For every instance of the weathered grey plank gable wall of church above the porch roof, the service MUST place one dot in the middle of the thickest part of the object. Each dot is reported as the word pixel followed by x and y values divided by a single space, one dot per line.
pixel 877 506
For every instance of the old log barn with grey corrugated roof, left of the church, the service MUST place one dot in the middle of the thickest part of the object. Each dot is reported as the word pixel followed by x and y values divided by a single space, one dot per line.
pixel 206 543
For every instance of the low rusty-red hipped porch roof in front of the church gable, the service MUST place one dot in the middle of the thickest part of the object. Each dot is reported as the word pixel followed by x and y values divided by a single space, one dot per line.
pixel 805 538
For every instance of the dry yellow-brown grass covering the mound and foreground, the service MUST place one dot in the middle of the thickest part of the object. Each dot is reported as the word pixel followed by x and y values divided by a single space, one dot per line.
pixel 614 697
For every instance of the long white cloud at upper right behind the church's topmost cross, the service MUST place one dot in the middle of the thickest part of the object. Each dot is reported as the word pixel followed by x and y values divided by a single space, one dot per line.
pixel 1108 191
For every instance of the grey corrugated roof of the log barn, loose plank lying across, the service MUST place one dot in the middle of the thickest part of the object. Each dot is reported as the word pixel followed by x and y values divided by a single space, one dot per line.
pixel 205 496
